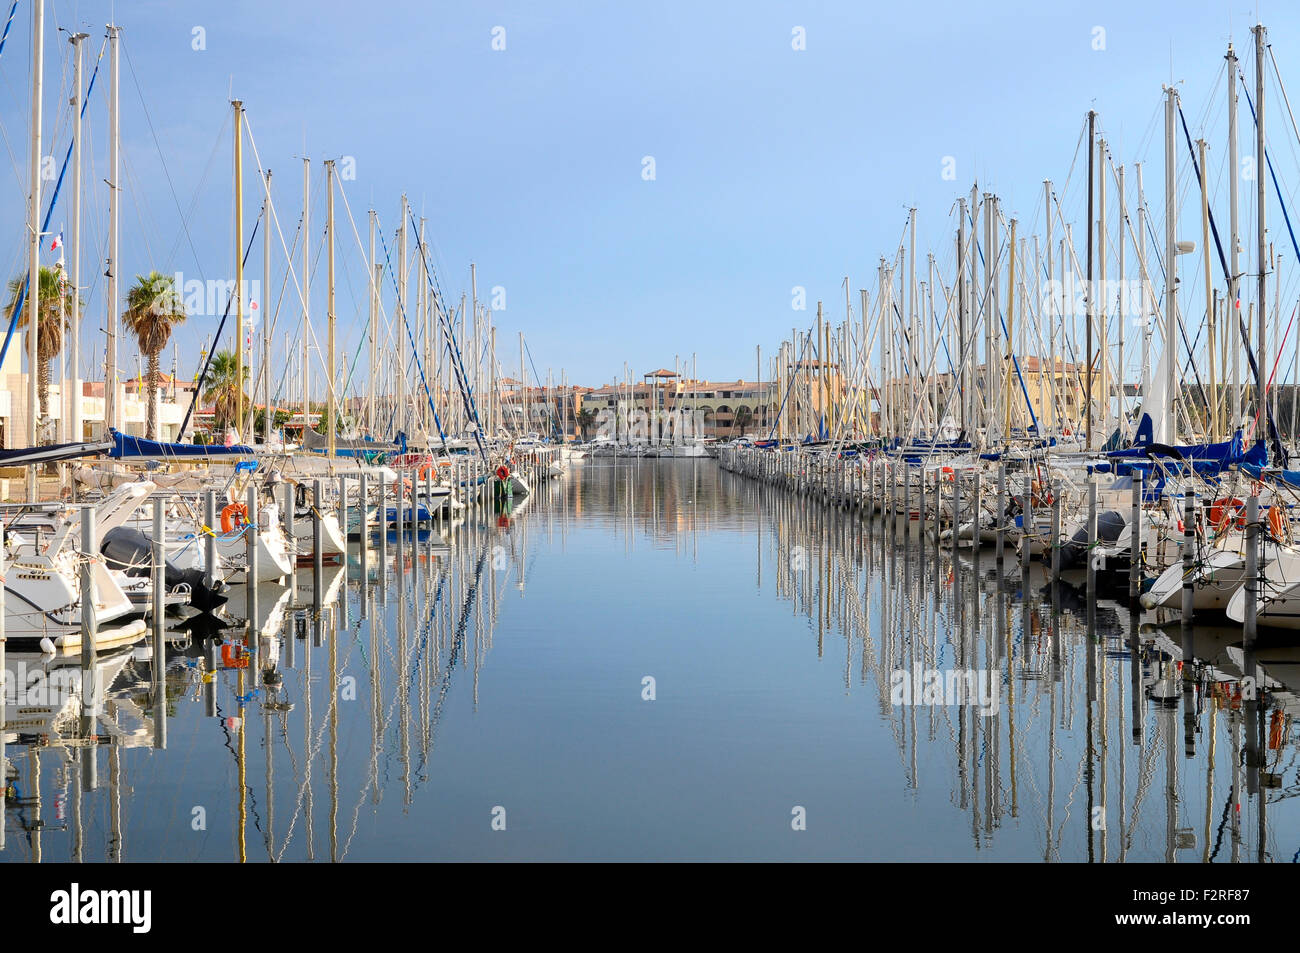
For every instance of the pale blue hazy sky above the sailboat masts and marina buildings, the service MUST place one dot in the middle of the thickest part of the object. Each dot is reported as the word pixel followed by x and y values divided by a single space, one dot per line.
pixel 774 167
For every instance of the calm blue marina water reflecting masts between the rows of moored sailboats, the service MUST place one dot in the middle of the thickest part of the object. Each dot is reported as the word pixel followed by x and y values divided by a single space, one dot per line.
pixel 500 675
